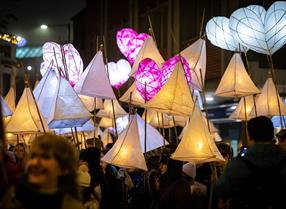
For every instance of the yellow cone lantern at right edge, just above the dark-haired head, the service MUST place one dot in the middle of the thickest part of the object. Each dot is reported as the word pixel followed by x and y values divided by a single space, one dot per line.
pixel 266 103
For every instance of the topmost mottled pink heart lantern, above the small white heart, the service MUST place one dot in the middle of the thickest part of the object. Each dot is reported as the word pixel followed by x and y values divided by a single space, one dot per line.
pixel 129 42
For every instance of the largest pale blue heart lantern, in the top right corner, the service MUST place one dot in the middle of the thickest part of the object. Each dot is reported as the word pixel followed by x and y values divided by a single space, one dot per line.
pixel 261 31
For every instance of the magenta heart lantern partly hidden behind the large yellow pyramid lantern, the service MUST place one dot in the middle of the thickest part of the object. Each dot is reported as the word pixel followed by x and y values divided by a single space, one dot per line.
pixel 148 72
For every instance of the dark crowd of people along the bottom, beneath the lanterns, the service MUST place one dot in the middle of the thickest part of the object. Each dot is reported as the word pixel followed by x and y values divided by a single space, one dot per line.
pixel 52 173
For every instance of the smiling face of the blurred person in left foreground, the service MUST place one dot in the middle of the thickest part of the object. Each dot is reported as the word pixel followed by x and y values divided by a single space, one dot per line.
pixel 43 170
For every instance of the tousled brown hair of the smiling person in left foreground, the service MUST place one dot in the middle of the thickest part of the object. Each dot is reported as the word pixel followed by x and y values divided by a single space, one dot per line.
pixel 66 156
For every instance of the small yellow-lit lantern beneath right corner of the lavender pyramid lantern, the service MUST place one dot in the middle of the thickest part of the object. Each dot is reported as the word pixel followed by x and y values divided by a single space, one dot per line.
pixel 107 110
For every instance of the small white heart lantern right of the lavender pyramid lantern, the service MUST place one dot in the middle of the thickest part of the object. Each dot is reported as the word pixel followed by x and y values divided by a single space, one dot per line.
pixel 118 72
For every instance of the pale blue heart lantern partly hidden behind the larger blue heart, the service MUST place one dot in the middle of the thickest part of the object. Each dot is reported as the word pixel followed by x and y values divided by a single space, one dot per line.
pixel 219 34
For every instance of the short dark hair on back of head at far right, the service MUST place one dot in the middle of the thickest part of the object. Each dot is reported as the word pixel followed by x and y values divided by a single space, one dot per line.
pixel 260 129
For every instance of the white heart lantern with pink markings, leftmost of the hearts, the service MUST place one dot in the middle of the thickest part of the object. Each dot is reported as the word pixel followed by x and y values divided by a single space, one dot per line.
pixel 53 56
